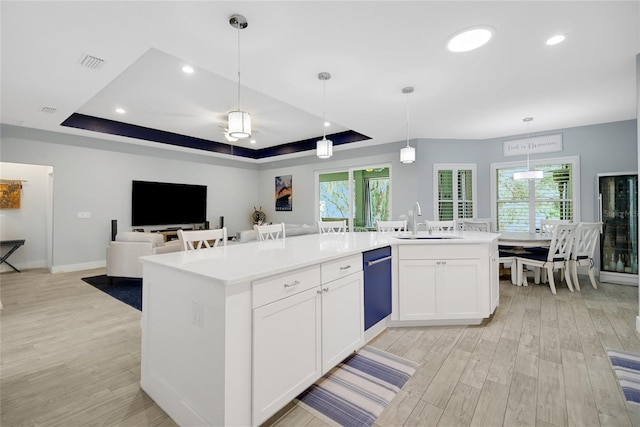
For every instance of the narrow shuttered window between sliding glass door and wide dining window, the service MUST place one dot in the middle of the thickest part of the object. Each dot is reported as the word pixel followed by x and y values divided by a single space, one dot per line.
pixel 455 191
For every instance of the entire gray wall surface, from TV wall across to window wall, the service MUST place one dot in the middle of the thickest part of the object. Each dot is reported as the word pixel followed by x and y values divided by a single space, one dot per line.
pixel 93 175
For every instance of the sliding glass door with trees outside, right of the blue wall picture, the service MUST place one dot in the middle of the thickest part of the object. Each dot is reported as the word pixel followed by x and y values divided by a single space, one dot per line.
pixel 361 196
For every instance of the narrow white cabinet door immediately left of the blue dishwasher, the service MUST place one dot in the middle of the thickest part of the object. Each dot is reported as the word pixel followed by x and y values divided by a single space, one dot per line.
pixel 342 319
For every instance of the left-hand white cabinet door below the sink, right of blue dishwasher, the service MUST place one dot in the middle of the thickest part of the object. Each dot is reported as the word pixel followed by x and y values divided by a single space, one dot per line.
pixel 417 289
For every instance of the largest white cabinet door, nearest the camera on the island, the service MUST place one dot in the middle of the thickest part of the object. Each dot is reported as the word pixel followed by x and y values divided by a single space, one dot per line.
pixel 286 351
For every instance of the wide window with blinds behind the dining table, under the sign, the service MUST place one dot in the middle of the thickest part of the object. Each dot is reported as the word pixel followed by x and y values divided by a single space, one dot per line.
pixel 520 205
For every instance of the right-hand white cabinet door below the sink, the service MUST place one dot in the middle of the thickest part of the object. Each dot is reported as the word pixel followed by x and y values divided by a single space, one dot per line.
pixel 458 288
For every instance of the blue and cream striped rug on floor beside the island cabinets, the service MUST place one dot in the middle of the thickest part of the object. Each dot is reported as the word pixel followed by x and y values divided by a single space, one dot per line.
pixel 355 392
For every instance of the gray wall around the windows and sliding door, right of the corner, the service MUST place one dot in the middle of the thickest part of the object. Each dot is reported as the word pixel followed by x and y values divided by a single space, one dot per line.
pixel 608 147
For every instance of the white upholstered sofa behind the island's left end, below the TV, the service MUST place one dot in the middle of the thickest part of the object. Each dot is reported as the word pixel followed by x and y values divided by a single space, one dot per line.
pixel 123 254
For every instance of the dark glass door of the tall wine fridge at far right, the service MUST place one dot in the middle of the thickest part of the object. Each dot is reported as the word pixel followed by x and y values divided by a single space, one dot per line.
pixel 618 199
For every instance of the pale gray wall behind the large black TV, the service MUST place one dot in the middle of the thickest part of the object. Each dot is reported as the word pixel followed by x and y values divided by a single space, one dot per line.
pixel 89 178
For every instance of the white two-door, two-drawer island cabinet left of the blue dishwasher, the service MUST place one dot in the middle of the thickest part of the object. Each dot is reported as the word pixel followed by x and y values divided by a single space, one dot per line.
pixel 302 327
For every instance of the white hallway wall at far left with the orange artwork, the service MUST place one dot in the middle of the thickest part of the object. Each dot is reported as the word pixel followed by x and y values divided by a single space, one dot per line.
pixel 30 221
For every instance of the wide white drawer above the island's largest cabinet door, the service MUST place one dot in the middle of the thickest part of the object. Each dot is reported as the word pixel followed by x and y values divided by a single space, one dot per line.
pixel 277 287
